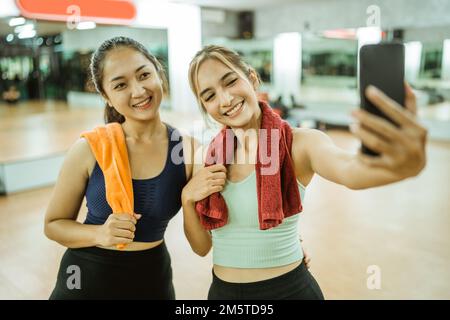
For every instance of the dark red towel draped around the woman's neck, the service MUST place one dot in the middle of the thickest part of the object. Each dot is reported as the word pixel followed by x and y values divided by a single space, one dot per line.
pixel 278 195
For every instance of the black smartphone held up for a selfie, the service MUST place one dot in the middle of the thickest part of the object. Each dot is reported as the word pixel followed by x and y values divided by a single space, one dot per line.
pixel 381 65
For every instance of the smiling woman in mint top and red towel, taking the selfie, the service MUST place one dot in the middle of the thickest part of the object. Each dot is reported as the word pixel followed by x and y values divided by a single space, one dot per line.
pixel 256 258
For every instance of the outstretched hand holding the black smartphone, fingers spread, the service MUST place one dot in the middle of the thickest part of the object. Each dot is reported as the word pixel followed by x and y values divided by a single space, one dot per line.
pixel 402 148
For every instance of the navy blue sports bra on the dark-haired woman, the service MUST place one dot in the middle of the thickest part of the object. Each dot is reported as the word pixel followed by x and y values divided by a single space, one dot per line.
pixel 158 199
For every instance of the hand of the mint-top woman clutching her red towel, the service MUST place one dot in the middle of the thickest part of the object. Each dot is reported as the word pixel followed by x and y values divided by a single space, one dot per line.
pixel 205 182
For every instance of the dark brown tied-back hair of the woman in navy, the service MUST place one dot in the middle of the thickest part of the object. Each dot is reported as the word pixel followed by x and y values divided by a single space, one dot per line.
pixel 97 64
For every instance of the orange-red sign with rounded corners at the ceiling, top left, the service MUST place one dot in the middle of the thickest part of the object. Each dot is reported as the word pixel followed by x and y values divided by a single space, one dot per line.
pixel 102 11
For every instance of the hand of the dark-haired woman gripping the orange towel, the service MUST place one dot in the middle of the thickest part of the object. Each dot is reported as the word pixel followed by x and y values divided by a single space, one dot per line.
pixel 119 228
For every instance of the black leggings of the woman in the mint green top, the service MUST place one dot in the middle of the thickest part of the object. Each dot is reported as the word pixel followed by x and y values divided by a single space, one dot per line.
pixel 297 284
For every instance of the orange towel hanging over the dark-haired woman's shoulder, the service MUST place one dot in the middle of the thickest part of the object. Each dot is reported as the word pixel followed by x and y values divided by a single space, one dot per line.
pixel 110 150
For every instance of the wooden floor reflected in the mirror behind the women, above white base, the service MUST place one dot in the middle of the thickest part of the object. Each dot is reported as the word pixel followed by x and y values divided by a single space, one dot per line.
pixel 36 129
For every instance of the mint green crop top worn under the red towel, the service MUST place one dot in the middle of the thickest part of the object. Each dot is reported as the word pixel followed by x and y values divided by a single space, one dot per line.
pixel 241 244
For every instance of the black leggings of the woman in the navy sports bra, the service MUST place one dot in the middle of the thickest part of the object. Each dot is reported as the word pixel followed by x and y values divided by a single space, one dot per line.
pixel 111 274
